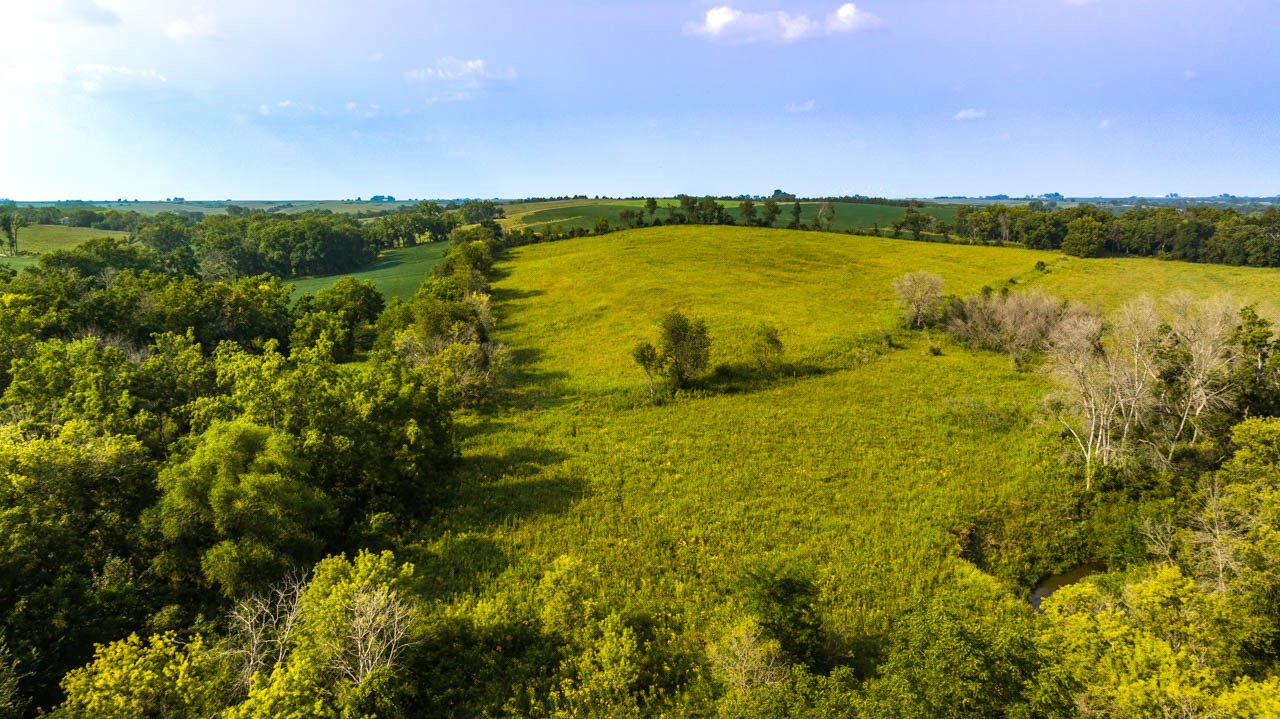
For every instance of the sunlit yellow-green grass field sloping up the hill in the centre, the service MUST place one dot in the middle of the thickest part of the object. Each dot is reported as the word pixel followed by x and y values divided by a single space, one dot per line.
pixel 861 474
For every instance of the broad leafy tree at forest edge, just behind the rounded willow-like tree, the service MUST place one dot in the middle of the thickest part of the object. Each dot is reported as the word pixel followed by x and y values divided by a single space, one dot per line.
pixel 377 438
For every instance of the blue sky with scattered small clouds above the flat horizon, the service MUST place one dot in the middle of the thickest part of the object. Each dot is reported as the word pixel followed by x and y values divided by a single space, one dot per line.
pixel 318 99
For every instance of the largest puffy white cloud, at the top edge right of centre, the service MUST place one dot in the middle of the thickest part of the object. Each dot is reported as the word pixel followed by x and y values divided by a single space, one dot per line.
pixel 730 25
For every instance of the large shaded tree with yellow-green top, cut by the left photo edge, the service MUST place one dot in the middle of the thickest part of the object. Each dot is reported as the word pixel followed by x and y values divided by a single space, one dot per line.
pixel 70 506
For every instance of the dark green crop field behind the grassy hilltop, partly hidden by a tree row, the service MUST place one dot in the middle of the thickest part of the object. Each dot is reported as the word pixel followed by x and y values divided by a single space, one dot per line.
pixel 583 214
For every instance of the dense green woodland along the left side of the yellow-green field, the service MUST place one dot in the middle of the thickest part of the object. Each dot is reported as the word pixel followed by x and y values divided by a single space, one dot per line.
pixel 176 445
